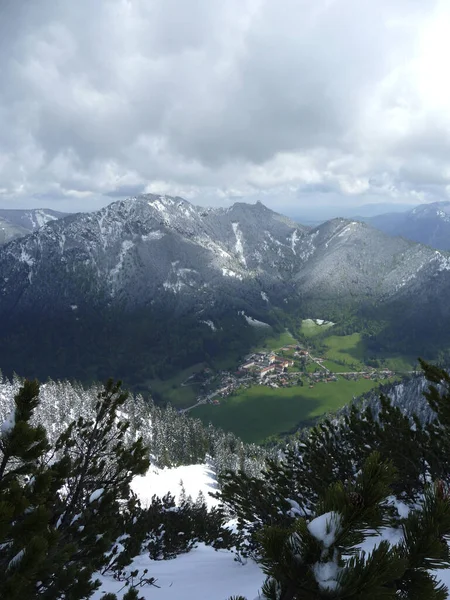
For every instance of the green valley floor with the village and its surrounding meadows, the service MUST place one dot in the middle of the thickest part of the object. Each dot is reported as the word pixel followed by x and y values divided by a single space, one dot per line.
pixel 284 384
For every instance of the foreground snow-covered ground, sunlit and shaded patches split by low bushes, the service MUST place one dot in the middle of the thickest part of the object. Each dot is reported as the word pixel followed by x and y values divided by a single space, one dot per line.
pixel 203 572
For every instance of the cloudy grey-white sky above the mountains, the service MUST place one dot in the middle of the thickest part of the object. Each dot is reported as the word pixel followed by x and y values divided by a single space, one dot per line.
pixel 299 104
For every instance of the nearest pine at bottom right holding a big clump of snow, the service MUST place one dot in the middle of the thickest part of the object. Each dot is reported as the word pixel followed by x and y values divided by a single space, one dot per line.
pixel 320 556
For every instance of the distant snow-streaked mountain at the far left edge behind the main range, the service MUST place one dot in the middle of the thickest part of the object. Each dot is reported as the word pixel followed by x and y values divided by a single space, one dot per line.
pixel 15 223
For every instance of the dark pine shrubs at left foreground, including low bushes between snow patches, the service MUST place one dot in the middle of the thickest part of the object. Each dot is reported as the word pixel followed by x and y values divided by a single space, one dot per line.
pixel 67 511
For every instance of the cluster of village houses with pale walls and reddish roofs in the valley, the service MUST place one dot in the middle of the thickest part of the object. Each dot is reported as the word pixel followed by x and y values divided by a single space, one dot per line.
pixel 291 365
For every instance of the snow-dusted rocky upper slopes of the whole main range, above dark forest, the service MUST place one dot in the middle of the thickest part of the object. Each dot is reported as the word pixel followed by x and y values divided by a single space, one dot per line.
pixel 159 249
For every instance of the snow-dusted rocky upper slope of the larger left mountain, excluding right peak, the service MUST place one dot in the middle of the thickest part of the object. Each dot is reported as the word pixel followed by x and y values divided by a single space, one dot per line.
pixel 150 249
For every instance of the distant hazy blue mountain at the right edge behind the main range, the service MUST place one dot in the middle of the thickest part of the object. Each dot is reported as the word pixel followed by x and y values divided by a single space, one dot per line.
pixel 428 224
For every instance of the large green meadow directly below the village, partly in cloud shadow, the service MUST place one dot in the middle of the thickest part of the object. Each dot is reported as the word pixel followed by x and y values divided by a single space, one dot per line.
pixel 258 412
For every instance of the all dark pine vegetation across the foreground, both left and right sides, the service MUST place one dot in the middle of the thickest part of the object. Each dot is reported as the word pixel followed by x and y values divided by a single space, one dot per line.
pixel 358 507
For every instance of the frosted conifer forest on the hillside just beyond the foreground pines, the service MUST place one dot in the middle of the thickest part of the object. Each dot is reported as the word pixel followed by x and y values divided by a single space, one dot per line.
pixel 172 439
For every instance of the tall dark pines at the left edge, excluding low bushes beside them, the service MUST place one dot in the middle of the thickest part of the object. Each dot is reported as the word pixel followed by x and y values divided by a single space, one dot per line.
pixel 62 508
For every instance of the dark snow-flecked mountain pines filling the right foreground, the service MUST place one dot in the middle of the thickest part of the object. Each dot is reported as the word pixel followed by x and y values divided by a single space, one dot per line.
pixel 359 509
